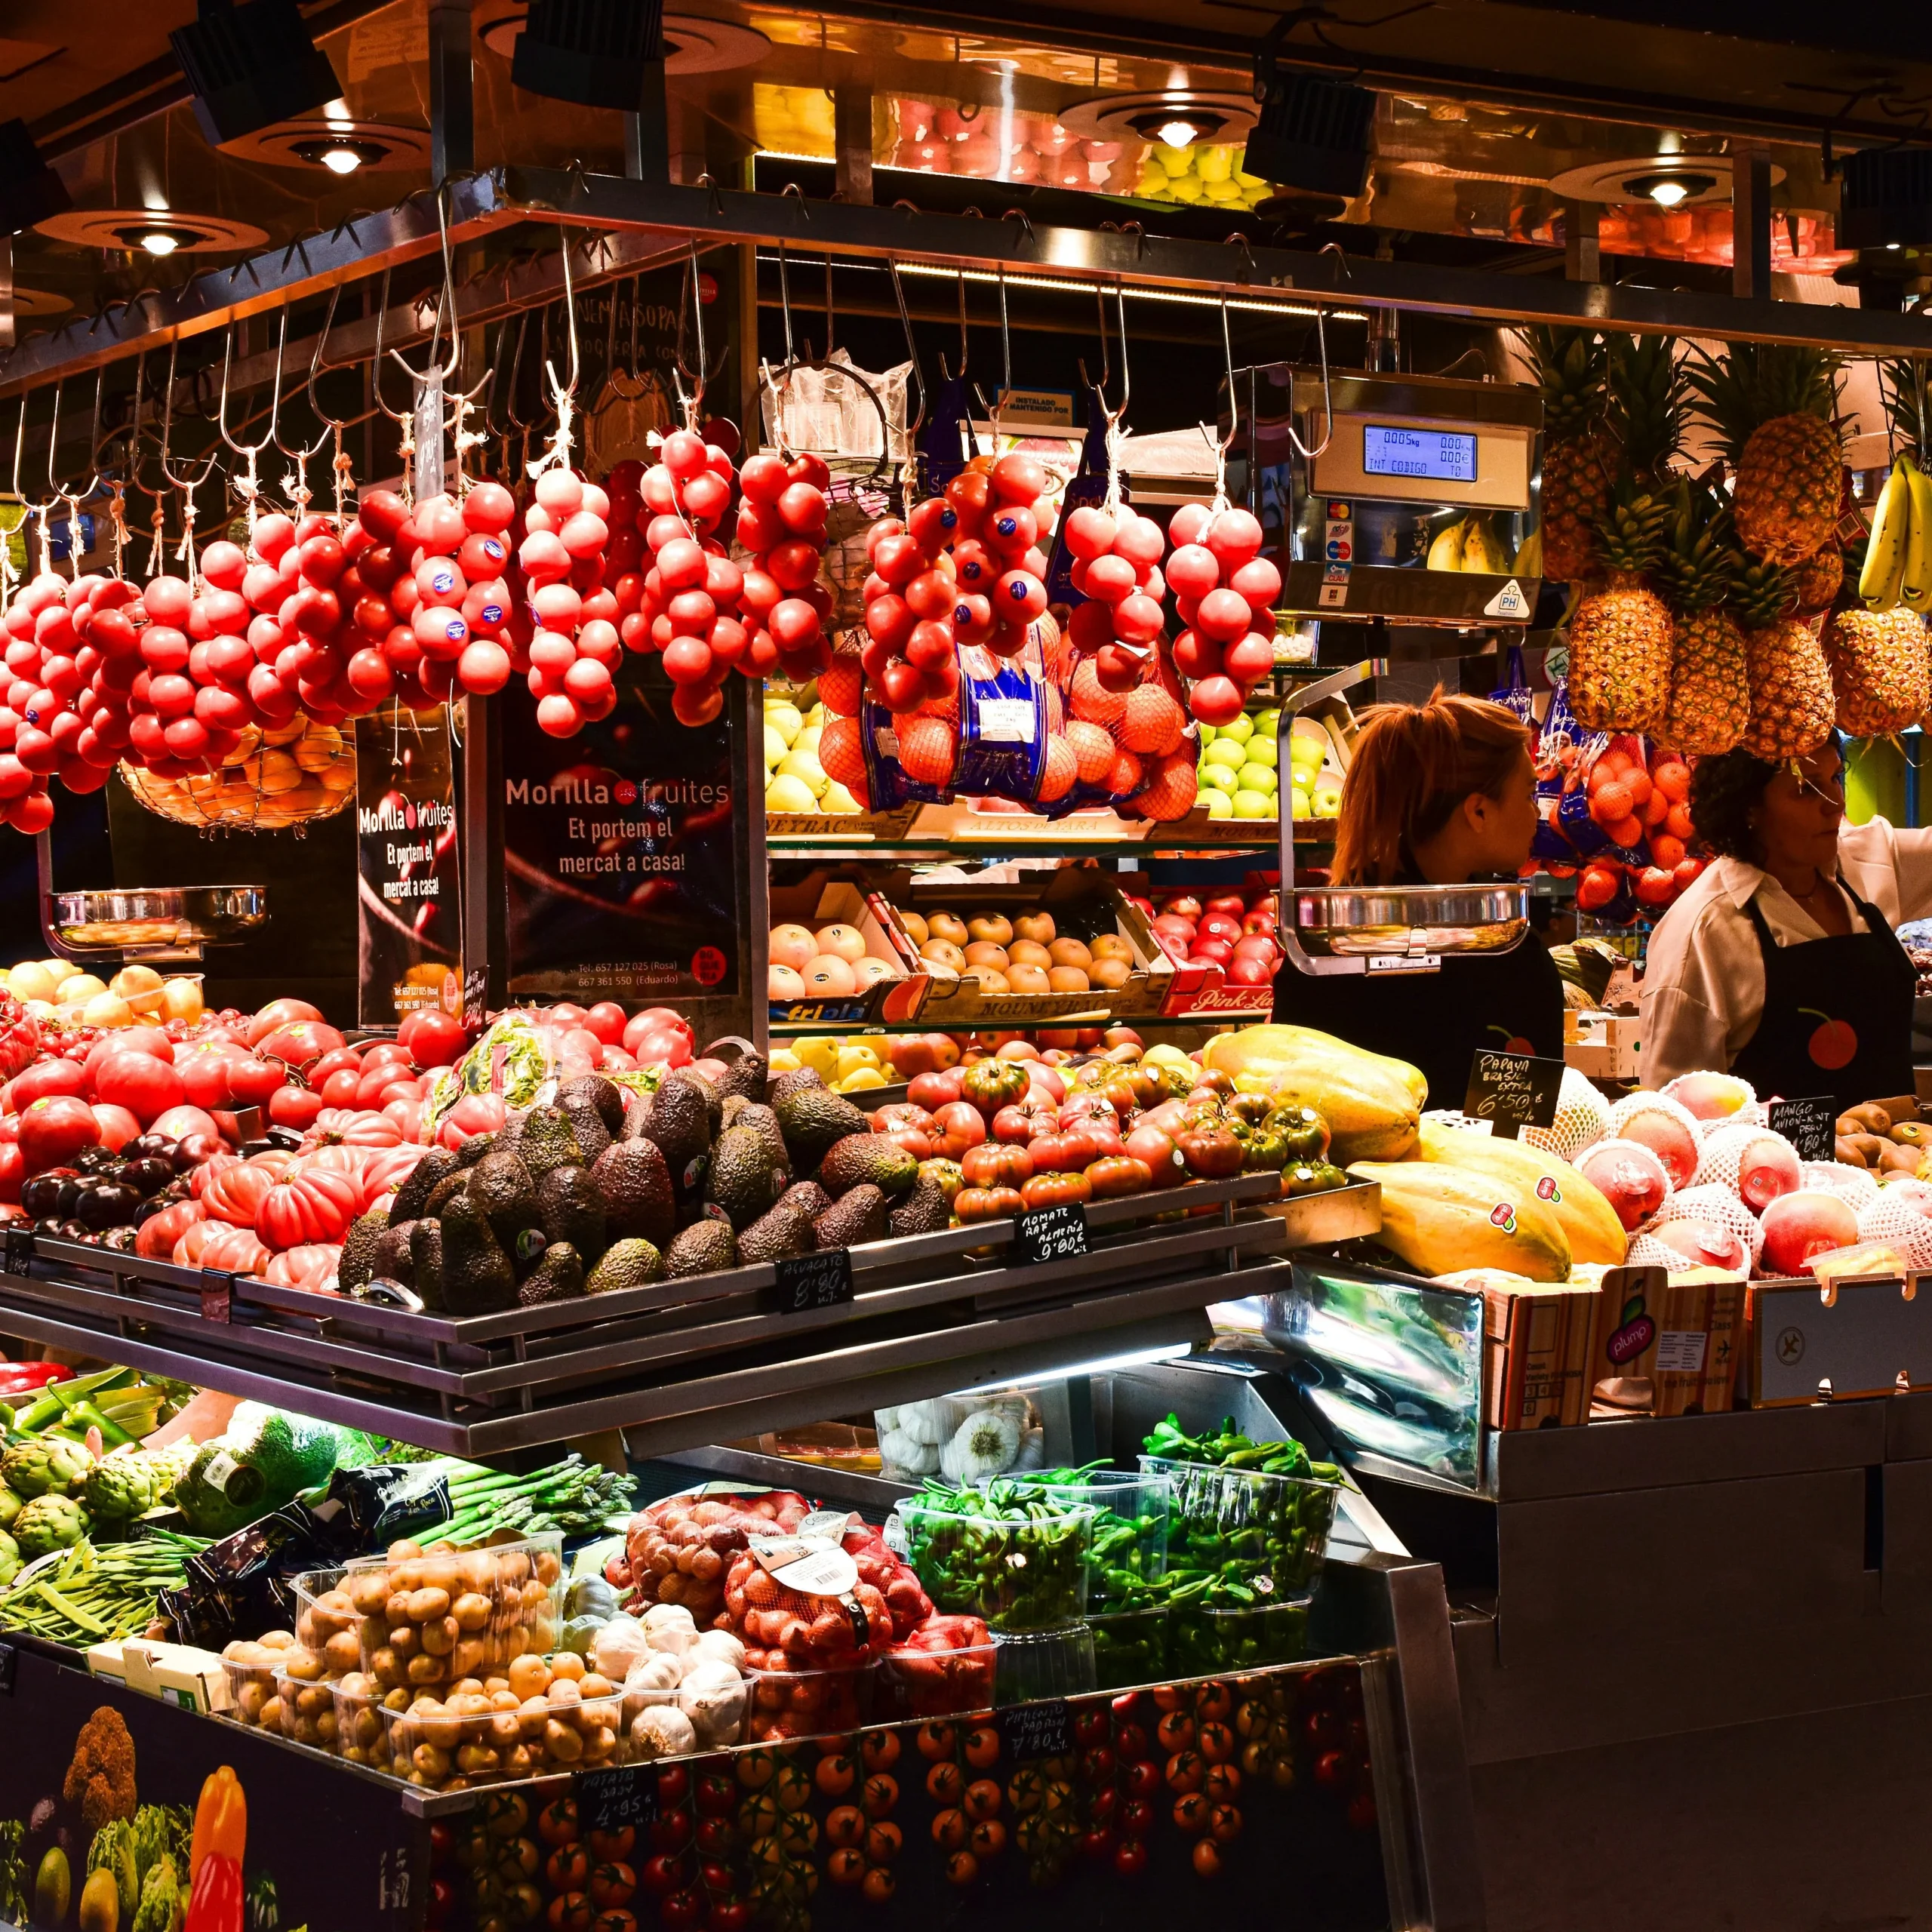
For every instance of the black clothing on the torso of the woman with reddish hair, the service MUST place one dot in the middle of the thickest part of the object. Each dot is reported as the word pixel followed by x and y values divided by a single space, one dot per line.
pixel 1502 1002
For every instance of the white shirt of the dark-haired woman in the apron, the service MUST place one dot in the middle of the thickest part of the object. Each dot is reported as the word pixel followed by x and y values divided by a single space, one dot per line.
pixel 1703 990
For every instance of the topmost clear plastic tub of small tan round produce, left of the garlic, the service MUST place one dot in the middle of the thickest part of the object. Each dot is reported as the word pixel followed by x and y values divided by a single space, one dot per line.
pixel 432 1620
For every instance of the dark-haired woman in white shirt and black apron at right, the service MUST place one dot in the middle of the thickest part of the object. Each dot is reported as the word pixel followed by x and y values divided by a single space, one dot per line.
pixel 1780 963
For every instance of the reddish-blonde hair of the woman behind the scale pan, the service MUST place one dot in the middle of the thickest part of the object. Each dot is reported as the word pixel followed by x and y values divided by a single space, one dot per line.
pixel 1413 768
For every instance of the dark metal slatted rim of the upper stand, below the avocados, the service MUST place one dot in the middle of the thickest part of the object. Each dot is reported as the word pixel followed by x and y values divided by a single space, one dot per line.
pixel 675 1351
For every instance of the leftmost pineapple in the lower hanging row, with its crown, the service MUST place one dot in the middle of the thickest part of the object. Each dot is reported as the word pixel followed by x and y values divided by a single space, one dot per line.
pixel 1620 640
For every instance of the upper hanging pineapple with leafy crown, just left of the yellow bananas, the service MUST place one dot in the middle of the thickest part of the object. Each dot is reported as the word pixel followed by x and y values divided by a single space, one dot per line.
pixel 1775 412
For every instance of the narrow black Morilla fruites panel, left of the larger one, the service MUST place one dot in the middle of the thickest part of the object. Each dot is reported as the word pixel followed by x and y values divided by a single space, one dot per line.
pixel 409 882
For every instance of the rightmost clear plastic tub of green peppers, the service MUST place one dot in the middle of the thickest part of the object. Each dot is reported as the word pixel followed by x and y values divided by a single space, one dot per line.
pixel 1274 1529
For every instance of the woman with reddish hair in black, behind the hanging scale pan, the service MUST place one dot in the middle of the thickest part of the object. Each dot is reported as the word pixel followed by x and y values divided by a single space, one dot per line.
pixel 1436 795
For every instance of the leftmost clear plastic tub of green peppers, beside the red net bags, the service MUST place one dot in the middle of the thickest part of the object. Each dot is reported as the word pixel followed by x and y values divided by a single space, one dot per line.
pixel 1015 1572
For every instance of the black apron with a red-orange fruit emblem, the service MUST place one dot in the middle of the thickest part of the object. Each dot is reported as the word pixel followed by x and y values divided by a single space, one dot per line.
pixel 1807 1040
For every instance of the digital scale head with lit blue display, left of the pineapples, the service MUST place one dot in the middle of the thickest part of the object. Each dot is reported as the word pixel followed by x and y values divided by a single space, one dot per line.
pixel 1402 497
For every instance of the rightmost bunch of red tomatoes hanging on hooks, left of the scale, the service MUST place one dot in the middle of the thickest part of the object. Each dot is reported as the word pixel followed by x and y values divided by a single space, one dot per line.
pixel 1224 592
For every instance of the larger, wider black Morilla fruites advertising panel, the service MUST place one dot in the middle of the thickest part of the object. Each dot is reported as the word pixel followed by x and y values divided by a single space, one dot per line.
pixel 627 853
